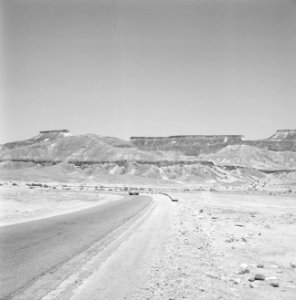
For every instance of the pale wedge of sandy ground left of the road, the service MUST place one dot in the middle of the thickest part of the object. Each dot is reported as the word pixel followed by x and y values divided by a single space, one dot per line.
pixel 21 204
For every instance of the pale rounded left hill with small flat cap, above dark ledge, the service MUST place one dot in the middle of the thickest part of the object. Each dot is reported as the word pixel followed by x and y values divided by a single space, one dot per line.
pixel 59 146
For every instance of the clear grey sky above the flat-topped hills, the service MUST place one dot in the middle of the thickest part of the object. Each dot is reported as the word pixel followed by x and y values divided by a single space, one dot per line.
pixel 147 67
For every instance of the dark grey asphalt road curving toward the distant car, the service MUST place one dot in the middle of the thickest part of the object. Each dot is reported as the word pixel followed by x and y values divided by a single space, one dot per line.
pixel 28 250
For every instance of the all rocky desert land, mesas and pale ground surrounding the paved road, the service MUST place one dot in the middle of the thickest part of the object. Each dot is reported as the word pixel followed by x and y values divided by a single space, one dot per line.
pixel 230 234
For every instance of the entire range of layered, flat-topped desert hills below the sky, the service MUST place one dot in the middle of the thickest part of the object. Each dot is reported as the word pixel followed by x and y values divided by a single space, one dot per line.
pixel 227 159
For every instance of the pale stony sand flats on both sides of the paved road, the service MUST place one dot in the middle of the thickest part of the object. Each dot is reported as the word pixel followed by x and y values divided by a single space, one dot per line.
pixel 208 245
